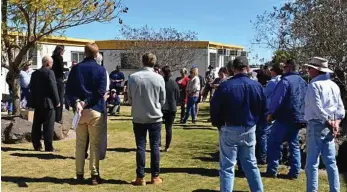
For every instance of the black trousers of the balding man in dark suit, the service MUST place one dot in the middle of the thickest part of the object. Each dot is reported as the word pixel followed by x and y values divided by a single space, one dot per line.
pixel 46 118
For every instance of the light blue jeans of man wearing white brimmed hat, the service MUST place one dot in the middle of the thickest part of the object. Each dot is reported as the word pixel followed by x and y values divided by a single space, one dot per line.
pixel 320 141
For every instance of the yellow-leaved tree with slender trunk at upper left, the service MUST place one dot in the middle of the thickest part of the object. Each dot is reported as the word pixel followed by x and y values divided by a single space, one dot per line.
pixel 26 22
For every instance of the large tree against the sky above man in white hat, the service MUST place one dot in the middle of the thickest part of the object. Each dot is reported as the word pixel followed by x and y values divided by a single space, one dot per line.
pixel 308 28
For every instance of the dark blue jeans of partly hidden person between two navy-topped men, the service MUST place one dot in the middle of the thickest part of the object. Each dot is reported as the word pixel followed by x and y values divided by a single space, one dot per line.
pixel 262 132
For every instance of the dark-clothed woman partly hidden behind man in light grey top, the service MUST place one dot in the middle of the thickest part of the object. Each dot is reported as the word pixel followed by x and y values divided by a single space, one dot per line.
pixel 169 109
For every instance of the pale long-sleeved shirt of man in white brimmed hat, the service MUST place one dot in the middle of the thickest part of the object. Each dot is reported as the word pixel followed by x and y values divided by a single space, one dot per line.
pixel 323 100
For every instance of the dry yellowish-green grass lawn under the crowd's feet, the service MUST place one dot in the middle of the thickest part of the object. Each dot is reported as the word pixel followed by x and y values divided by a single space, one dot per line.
pixel 189 166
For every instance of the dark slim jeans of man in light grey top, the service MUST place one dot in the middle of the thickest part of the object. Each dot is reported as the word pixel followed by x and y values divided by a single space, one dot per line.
pixel 140 131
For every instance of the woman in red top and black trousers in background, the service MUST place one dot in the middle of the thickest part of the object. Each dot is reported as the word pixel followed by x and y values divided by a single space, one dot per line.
pixel 182 84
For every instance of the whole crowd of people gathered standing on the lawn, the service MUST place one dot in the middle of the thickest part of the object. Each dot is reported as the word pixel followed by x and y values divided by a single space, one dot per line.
pixel 267 110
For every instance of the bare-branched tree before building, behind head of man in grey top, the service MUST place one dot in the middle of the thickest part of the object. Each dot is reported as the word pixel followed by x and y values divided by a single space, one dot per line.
pixel 172 47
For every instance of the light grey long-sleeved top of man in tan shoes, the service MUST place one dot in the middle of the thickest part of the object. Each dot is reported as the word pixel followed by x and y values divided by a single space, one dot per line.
pixel 146 91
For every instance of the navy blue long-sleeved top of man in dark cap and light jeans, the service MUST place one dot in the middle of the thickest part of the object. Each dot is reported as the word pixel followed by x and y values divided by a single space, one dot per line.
pixel 239 101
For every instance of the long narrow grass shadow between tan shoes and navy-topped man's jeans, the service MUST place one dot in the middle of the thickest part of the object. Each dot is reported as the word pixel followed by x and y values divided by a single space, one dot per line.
pixel 189 170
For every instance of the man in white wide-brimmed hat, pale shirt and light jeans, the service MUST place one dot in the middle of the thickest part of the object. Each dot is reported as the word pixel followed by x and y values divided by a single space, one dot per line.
pixel 324 111
